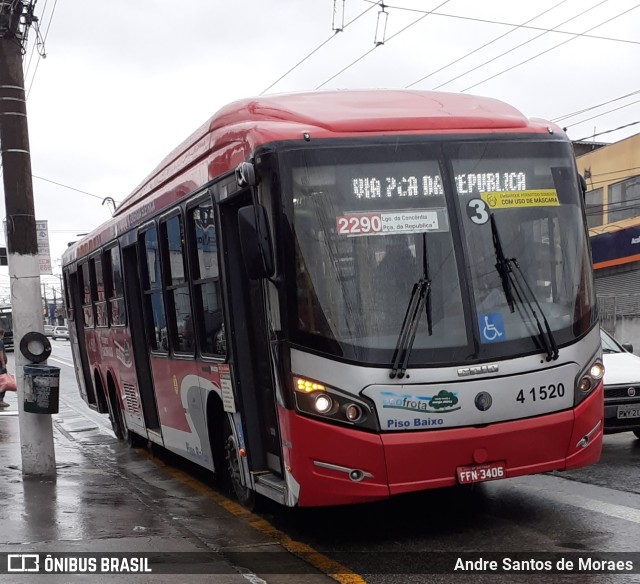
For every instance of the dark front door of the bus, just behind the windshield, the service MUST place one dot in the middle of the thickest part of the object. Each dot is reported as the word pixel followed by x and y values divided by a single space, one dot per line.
pixel 249 349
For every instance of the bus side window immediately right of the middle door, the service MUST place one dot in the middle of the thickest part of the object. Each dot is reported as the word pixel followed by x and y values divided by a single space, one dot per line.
pixel 155 320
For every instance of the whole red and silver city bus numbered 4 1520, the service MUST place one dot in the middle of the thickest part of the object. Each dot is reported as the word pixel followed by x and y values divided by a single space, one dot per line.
pixel 332 298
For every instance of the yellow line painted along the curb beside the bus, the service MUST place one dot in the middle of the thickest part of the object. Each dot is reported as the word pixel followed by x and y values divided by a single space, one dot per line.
pixel 323 563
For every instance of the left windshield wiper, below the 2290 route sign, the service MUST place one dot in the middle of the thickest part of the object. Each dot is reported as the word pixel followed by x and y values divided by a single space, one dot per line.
pixel 420 297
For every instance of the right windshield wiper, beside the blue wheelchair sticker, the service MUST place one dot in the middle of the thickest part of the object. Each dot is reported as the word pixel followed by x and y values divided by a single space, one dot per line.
pixel 523 292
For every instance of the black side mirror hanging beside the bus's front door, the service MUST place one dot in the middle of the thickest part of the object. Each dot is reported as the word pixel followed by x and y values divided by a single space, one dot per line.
pixel 255 242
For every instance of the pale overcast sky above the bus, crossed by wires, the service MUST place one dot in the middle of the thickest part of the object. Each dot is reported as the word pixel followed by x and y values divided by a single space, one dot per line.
pixel 124 82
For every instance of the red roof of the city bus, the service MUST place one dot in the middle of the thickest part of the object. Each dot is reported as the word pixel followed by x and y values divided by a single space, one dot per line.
pixel 235 131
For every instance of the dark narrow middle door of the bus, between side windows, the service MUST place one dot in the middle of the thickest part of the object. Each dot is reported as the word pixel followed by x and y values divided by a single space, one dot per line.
pixel 133 293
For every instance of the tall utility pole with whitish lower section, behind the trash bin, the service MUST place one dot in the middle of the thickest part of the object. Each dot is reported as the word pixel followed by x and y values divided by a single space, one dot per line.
pixel 36 433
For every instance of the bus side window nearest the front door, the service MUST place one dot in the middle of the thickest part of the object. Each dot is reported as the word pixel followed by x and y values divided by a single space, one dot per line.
pixel 206 280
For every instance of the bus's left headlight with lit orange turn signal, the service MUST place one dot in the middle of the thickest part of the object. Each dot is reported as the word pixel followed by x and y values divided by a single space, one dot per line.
pixel 332 405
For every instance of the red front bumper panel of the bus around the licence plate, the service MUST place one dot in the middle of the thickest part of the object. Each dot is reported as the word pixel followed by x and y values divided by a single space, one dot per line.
pixel 405 462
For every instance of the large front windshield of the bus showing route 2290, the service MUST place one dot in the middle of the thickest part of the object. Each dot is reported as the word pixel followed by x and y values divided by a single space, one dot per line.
pixel 367 220
